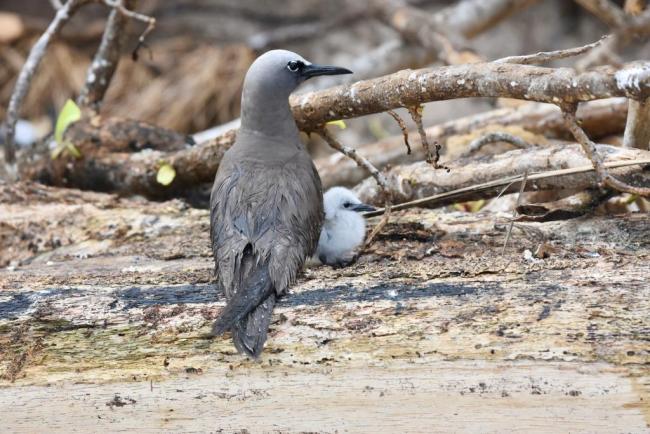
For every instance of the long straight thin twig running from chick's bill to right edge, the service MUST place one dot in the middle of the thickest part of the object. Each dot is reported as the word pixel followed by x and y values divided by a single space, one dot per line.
pixel 462 194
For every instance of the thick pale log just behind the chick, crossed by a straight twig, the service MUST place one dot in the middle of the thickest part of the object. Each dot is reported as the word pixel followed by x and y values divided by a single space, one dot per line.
pixel 420 180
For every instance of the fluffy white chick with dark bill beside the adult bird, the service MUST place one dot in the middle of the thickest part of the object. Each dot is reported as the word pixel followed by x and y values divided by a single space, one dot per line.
pixel 343 229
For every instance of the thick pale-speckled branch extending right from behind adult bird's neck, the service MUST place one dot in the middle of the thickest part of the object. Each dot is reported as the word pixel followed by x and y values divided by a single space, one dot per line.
pixel 411 88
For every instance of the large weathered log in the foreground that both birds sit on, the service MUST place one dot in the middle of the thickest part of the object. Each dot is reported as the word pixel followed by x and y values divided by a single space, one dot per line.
pixel 104 315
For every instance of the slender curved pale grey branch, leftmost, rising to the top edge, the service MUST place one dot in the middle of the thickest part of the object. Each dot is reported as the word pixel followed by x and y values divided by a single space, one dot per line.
pixel 23 82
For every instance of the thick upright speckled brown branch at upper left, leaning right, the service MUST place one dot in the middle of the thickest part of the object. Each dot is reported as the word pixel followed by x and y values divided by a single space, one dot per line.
pixel 104 64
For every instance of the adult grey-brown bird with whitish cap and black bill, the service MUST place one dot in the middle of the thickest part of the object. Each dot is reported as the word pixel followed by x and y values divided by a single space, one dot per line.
pixel 266 207
